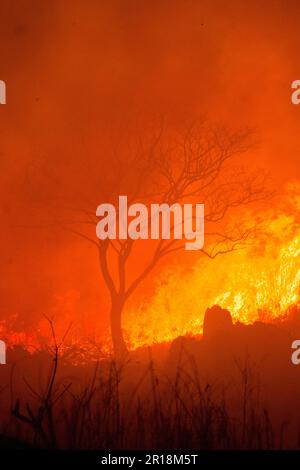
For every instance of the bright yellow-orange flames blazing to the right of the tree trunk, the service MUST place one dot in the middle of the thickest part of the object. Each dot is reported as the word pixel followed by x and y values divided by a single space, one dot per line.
pixel 258 283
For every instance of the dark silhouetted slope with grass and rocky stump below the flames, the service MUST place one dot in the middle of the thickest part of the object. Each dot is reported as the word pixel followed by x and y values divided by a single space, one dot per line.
pixel 211 393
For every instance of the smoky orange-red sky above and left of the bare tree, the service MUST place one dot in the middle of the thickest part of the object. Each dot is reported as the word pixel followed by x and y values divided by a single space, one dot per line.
pixel 72 68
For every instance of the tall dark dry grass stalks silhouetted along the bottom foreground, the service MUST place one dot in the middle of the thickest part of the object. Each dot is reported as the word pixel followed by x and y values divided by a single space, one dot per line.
pixel 156 411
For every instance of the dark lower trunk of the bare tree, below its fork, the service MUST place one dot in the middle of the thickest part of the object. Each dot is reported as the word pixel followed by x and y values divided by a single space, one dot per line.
pixel 119 345
